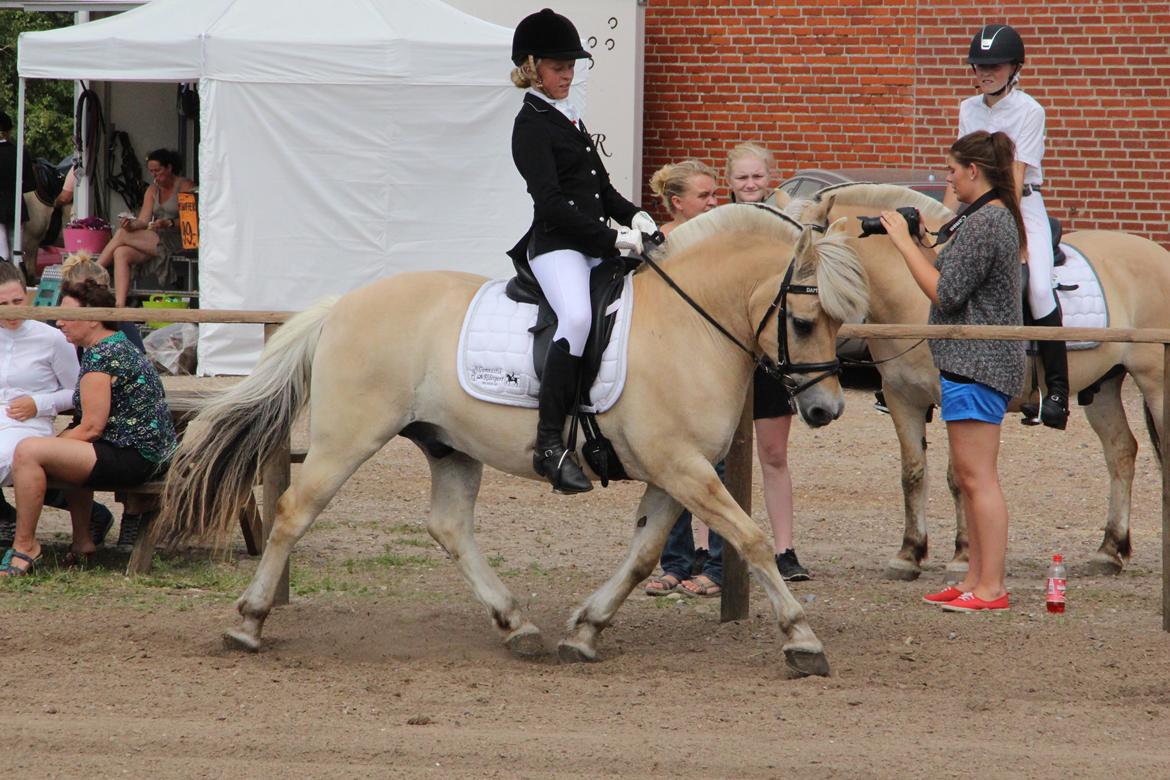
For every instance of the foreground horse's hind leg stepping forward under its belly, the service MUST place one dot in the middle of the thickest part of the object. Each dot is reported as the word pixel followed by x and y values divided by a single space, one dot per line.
pixel 455 487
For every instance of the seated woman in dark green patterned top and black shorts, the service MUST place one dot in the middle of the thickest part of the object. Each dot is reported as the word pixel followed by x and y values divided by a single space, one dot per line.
pixel 125 437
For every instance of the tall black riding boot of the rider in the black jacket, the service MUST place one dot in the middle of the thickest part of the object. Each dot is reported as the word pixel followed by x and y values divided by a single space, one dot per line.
pixel 559 392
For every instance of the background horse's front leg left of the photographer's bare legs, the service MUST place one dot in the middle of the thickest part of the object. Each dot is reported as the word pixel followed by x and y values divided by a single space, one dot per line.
pixel 911 425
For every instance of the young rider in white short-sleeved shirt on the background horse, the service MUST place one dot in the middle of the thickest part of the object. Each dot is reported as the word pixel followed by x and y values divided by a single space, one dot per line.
pixel 996 57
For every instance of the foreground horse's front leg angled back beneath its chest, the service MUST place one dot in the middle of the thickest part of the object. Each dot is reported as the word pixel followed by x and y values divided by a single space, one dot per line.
pixel 657 514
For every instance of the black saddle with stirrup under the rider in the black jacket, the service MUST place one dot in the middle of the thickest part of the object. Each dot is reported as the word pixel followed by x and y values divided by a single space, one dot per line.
pixel 607 282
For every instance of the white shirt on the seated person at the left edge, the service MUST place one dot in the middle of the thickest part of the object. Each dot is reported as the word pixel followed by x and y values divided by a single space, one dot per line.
pixel 37 361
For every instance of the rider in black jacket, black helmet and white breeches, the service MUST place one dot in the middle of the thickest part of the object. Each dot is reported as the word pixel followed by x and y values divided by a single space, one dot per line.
pixel 573 201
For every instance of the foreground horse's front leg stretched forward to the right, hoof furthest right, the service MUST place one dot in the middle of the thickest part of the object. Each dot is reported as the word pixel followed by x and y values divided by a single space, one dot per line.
pixel 699 488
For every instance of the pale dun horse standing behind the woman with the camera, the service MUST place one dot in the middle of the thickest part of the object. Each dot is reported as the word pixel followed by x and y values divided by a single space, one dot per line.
pixel 1135 278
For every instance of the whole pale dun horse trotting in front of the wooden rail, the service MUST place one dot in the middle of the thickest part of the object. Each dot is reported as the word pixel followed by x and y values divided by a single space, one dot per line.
pixel 381 362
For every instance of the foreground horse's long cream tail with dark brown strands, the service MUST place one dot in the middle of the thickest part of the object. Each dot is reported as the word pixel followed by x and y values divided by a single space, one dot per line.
pixel 214 472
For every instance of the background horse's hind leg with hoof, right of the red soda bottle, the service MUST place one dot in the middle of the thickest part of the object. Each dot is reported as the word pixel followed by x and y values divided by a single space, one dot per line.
pixel 1107 416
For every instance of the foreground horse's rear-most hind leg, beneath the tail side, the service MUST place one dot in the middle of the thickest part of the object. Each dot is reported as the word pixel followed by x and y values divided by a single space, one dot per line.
pixel 331 461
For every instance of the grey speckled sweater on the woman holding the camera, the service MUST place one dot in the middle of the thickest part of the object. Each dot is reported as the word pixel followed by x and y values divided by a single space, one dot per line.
pixel 980 285
